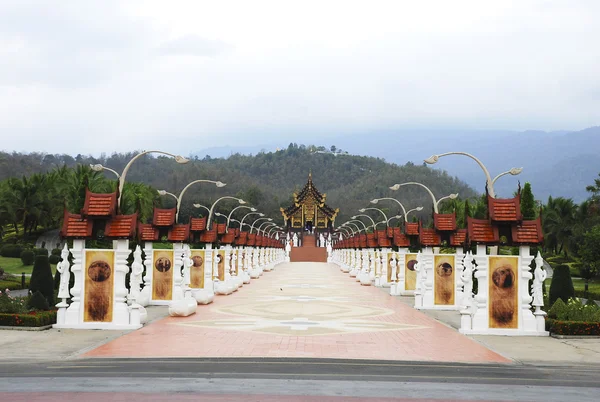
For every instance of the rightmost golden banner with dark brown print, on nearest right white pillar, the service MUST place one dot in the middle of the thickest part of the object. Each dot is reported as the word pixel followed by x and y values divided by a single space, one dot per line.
pixel 503 292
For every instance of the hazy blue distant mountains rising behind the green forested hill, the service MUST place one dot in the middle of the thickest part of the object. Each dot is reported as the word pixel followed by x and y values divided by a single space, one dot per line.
pixel 555 163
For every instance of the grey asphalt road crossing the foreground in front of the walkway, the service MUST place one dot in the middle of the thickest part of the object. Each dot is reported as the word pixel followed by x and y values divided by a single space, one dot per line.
pixel 293 377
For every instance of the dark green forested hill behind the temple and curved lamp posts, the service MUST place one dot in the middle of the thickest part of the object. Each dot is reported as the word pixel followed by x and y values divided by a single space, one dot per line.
pixel 266 180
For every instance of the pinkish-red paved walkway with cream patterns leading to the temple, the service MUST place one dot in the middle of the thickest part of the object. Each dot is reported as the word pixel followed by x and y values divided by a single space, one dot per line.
pixel 302 310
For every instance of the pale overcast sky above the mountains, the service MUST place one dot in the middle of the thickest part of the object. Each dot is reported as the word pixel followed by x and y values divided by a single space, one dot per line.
pixel 98 76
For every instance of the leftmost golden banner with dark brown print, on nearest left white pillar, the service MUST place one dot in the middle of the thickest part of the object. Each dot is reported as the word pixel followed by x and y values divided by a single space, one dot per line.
pixel 99 279
